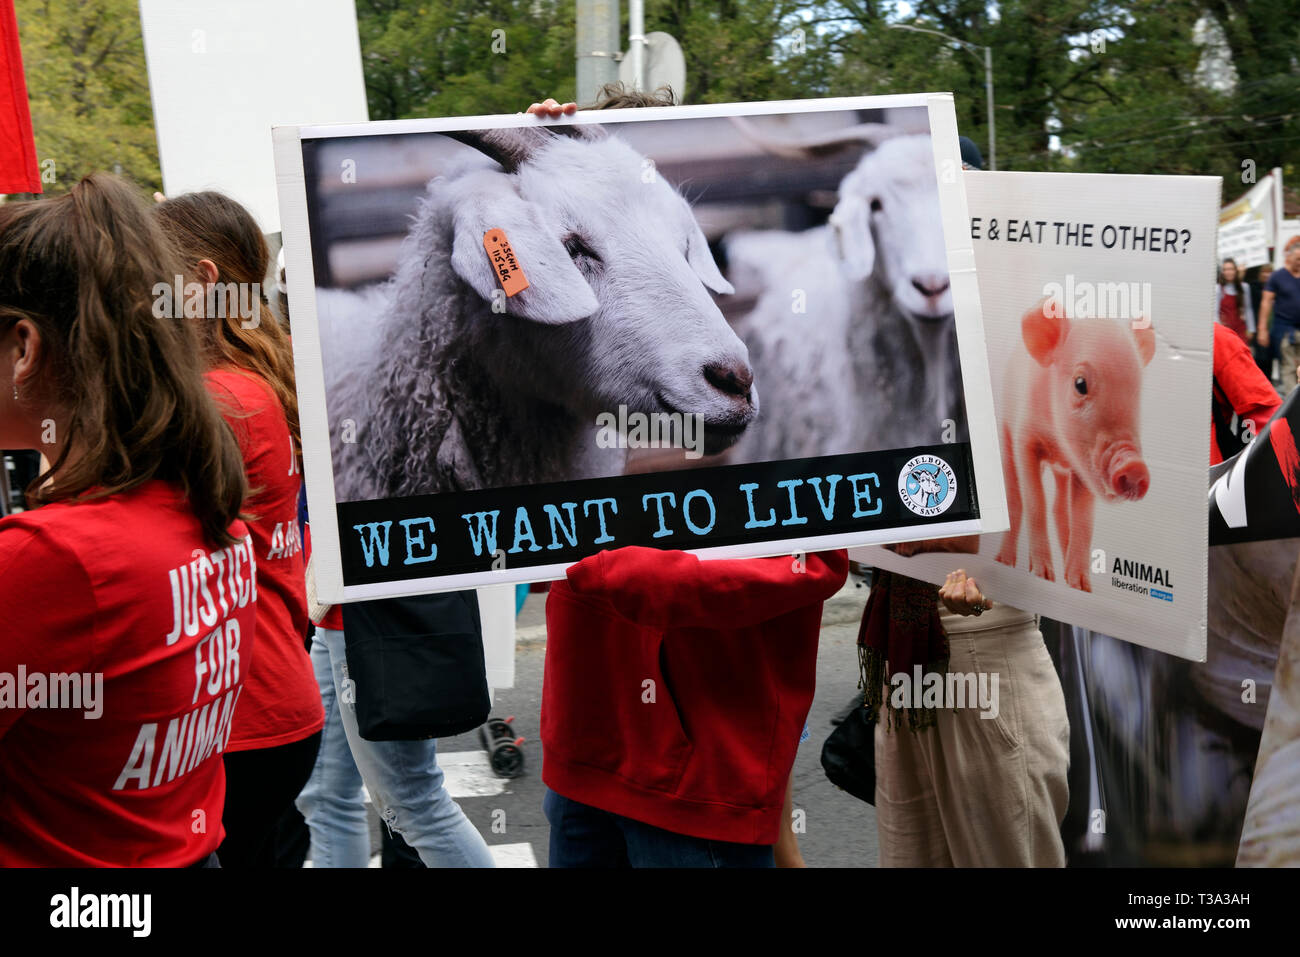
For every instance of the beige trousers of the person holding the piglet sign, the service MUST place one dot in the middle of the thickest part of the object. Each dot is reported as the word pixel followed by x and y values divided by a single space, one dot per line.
pixel 981 793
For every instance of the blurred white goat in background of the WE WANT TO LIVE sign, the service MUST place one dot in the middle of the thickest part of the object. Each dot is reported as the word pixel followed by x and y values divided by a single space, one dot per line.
pixel 877 292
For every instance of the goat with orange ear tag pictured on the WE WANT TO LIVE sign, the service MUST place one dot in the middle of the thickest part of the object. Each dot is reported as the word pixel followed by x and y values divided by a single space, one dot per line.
pixel 465 388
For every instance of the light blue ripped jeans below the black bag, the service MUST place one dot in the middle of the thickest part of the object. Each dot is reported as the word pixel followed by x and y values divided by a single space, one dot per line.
pixel 404 780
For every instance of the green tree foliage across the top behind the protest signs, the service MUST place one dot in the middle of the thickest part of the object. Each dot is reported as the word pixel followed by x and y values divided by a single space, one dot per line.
pixel 1081 85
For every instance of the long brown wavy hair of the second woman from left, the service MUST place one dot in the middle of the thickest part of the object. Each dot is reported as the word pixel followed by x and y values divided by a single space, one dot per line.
pixel 211 226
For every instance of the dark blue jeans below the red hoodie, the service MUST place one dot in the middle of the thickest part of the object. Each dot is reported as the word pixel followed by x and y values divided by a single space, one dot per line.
pixel 586 837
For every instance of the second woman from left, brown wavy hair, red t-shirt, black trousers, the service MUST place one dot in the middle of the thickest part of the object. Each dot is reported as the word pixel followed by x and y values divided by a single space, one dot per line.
pixel 278 728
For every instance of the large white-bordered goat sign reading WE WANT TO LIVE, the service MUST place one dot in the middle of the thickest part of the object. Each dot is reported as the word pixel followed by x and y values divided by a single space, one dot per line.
pixel 734 330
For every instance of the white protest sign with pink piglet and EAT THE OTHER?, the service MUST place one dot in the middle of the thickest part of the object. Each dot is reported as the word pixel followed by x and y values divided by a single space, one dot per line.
pixel 1098 300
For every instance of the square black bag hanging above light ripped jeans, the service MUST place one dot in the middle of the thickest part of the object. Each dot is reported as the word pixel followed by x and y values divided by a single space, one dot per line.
pixel 417 666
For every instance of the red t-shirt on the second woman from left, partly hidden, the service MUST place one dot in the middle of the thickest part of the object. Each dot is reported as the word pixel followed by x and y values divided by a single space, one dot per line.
pixel 281 703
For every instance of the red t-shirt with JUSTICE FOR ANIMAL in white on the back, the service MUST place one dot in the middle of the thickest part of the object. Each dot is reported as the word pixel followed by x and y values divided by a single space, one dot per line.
pixel 124 646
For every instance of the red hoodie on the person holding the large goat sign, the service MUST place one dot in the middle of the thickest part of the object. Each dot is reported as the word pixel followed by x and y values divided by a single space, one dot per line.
pixel 677 688
